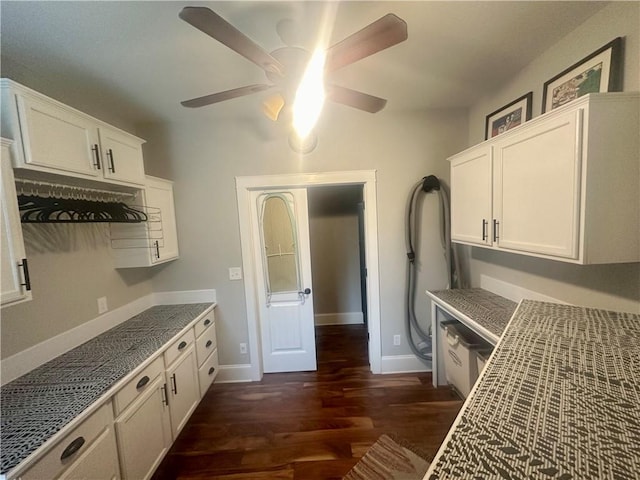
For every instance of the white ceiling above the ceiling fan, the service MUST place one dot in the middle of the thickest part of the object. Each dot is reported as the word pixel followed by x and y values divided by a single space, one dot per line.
pixel 142 57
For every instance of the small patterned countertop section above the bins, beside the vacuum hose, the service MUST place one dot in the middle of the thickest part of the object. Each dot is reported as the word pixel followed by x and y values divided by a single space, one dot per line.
pixel 490 311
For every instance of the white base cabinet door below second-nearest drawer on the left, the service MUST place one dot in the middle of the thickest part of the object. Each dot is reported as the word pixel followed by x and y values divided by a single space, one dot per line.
pixel 144 432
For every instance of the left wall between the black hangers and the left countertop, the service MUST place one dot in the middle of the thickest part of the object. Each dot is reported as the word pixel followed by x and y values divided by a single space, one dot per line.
pixel 70 267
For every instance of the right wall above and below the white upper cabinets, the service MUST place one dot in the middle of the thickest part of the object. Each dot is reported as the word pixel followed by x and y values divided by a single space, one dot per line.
pixel 614 287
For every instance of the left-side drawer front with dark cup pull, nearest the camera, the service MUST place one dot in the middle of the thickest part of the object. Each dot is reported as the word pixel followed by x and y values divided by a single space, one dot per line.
pixel 72 446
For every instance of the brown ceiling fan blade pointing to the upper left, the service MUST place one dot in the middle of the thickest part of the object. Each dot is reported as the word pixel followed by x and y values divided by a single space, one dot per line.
pixel 218 28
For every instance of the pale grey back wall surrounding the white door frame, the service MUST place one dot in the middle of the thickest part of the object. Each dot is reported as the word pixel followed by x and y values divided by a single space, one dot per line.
pixel 205 159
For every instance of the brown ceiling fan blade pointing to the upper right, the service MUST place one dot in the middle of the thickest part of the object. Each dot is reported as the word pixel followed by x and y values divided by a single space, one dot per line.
pixel 383 33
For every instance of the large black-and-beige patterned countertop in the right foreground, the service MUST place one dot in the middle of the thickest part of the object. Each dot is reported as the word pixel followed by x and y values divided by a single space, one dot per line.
pixel 559 399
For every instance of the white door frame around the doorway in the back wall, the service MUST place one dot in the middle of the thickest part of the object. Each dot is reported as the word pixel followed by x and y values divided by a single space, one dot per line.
pixel 244 186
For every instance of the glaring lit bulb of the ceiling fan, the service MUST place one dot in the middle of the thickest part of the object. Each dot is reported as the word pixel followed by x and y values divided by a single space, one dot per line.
pixel 310 95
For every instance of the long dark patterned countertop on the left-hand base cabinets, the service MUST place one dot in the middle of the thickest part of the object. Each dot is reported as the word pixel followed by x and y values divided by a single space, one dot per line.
pixel 39 404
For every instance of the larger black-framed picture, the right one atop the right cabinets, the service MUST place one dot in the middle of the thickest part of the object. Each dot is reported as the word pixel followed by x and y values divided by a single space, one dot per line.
pixel 599 72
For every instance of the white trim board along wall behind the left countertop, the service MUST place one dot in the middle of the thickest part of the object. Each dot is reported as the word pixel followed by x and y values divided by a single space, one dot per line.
pixel 23 362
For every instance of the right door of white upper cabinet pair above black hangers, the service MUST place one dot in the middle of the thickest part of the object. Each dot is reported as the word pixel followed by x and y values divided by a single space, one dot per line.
pixel 122 156
